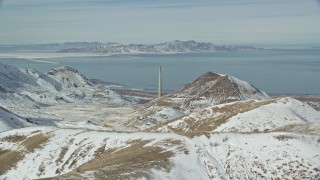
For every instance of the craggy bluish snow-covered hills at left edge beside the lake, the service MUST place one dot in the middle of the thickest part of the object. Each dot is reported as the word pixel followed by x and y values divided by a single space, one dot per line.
pixel 27 87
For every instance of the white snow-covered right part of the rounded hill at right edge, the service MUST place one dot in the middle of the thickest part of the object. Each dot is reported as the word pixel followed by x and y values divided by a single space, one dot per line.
pixel 282 113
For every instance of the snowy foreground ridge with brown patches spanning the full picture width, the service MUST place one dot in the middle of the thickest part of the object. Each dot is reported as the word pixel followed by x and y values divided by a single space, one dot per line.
pixel 48 152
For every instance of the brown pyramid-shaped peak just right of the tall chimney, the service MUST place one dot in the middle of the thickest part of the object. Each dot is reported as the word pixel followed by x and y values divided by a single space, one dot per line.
pixel 218 88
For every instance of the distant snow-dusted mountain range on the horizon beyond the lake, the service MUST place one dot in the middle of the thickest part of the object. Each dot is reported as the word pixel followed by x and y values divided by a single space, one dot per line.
pixel 116 48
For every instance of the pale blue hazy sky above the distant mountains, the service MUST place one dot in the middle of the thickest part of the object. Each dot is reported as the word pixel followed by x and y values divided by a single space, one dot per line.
pixel 151 21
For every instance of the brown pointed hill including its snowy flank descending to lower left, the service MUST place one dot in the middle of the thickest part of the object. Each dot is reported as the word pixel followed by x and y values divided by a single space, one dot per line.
pixel 208 90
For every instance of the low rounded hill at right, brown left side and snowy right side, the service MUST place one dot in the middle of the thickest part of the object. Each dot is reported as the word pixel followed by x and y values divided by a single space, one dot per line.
pixel 247 116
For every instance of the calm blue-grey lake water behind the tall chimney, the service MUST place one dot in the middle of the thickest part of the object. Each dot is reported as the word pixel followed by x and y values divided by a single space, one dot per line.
pixel 274 71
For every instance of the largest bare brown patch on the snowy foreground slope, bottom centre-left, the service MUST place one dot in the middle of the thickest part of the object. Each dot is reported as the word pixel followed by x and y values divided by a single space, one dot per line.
pixel 131 162
